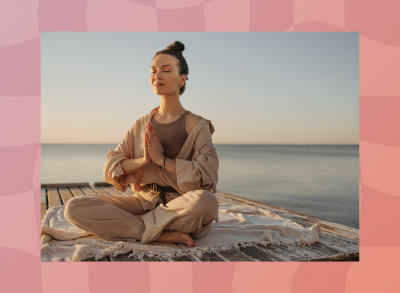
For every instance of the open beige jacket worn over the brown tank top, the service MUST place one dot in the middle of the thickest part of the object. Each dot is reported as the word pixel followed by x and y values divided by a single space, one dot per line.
pixel 196 164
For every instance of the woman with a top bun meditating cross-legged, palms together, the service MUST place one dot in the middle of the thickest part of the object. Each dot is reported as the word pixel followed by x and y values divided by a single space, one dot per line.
pixel 169 159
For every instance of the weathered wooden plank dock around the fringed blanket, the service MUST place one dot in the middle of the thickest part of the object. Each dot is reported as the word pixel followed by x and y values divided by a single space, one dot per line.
pixel 344 248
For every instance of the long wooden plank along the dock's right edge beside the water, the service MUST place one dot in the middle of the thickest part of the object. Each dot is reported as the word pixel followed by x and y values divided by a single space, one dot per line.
pixel 296 218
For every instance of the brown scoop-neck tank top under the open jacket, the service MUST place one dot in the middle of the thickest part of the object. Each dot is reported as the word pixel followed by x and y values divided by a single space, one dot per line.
pixel 172 135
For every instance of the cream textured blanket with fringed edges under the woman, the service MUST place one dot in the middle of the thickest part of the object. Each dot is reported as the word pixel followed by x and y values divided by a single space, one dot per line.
pixel 238 226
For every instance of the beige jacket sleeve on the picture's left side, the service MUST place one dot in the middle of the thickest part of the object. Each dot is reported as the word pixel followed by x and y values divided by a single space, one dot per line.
pixel 113 172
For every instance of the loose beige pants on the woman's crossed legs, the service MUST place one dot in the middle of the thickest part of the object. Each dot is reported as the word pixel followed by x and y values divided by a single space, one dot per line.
pixel 112 217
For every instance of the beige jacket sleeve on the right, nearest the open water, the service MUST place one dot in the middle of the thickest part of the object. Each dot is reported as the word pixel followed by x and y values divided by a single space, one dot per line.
pixel 201 172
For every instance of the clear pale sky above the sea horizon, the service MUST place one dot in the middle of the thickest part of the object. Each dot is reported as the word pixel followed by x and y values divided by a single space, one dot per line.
pixel 255 87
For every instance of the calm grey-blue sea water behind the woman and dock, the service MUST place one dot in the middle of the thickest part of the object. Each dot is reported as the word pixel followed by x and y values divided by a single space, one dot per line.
pixel 319 180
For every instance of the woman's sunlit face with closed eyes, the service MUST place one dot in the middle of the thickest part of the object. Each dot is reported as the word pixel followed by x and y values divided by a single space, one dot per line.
pixel 164 69
